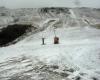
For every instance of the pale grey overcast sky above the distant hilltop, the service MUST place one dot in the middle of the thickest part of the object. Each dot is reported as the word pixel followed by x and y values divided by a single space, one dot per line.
pixel 47 3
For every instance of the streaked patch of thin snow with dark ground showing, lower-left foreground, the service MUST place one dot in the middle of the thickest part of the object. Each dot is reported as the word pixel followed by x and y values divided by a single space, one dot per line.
pixel 28 68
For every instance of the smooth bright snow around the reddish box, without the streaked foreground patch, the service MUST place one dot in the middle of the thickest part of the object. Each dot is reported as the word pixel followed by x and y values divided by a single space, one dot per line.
pixel 78 49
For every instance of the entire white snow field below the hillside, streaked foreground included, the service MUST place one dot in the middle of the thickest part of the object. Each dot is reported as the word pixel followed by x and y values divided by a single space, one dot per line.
pixel 78 49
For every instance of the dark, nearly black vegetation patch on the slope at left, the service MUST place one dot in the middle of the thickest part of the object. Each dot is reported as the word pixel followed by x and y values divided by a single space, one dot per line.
pixel 11 32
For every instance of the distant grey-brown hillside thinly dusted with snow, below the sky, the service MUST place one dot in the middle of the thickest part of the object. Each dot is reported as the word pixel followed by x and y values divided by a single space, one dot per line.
pixel 37 15
